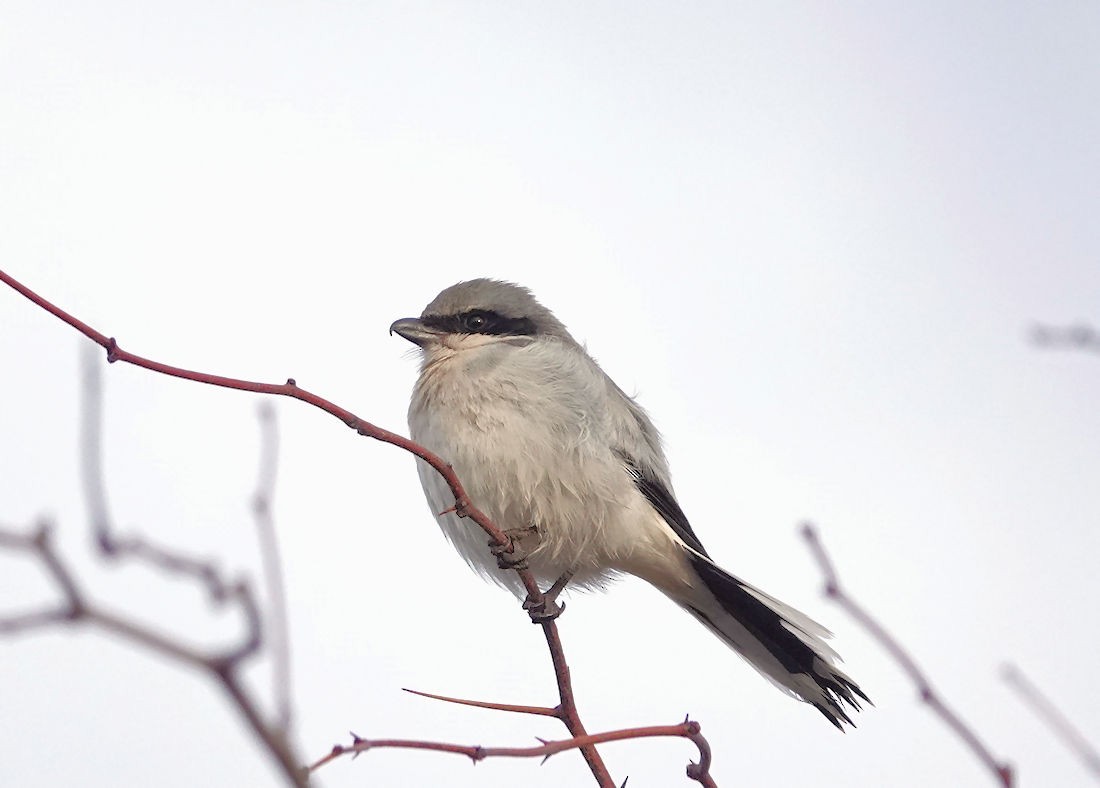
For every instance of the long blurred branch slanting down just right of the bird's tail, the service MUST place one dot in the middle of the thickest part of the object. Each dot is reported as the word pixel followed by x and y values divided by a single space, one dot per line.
pixel 928 695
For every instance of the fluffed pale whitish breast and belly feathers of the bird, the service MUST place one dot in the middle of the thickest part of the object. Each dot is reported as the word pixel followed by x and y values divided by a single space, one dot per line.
pixel 529 456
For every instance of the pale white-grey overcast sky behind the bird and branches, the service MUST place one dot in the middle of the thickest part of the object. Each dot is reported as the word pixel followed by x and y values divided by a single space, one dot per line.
pixel 811 239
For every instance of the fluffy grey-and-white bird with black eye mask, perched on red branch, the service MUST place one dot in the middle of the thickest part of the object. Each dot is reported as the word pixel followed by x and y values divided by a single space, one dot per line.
pixel 574 470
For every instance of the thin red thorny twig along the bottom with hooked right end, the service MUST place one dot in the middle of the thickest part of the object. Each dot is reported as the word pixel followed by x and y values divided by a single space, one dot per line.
pixel 690 730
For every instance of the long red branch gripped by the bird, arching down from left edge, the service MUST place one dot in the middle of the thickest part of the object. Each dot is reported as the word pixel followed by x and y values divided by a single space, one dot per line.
pixel 567 710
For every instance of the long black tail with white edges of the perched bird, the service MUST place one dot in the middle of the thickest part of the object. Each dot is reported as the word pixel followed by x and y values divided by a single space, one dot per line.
pixel 785 645
